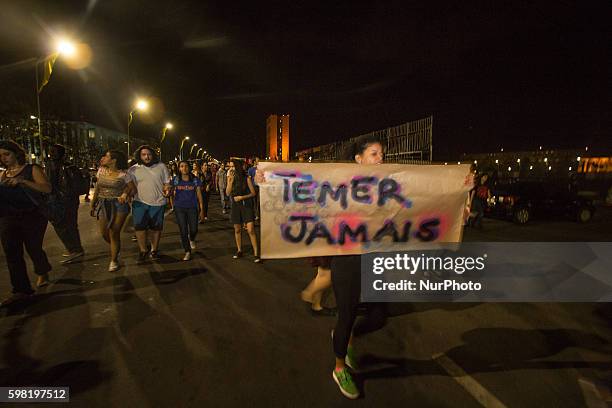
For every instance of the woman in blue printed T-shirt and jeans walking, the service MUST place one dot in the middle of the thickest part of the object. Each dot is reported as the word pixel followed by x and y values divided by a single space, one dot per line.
pixel 187 199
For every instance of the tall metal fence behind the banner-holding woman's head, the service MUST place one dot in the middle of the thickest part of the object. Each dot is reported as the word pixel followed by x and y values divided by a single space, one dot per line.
pixel 408 143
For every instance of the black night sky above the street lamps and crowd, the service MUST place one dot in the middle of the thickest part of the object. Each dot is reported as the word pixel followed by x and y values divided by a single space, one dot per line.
pixel 493 74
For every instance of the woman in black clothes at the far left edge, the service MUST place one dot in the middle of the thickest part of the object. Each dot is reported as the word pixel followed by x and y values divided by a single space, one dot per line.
pixel 22 219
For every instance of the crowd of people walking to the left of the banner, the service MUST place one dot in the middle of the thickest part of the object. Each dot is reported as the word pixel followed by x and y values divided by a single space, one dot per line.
pixel 140 190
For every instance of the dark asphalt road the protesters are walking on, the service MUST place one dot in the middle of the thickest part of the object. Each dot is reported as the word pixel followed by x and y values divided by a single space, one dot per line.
pixel 221 332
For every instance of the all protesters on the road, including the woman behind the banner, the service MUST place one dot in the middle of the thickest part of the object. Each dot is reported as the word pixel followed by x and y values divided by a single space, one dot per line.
pixel 147 189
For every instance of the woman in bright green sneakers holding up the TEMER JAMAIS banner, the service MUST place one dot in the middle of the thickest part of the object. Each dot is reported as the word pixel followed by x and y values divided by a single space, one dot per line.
pixel 346 281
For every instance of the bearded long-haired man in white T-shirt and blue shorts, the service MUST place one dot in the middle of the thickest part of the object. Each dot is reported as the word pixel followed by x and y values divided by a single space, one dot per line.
pixel 152 181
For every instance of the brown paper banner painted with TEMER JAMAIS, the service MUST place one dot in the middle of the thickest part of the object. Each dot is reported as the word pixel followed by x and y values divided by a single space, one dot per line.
pixel 321 209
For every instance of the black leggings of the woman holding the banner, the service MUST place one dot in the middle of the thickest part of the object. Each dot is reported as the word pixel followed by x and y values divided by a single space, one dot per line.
pixel 346 281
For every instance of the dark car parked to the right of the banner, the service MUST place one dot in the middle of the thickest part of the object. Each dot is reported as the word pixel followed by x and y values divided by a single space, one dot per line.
pixel 524 201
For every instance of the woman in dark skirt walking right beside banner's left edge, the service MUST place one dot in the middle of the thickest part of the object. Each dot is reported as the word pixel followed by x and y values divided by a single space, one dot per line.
pixel 241 191
